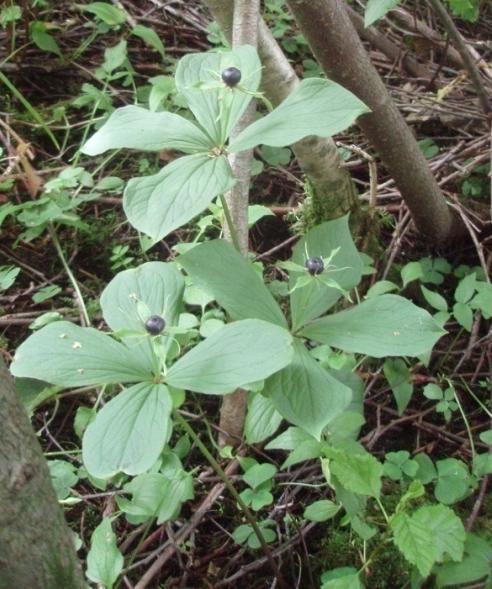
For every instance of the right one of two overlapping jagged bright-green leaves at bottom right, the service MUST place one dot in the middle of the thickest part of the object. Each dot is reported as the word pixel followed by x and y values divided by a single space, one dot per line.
pixel 446 529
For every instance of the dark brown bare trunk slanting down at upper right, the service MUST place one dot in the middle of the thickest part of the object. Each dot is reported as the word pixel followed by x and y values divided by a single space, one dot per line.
pixel 336 45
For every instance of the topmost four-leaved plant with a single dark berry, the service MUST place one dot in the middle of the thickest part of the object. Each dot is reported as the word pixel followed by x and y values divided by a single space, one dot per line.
pixel 159 204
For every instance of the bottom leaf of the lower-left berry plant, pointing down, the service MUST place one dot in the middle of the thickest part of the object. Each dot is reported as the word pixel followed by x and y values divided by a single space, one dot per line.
pixel 129 432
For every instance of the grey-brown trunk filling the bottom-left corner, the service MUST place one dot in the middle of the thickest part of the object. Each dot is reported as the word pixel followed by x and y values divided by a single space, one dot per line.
pixel 36 546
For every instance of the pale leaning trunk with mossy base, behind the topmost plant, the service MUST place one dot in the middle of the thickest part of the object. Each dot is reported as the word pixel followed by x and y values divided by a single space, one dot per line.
pixel 334 192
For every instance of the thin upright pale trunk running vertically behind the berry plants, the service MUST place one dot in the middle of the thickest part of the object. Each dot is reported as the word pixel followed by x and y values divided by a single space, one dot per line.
pixel 244 32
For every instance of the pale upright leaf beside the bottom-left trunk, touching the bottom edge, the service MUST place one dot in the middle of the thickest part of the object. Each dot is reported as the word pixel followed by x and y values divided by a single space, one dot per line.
pixel 104 560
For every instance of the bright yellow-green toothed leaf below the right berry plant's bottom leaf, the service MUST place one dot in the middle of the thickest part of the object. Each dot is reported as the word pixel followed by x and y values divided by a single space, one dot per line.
pixel 359 473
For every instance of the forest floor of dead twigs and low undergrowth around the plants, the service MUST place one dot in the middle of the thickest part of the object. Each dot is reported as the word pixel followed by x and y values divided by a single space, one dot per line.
pixel 48 107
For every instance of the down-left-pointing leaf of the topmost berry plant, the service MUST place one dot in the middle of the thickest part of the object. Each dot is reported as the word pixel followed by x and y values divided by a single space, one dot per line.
pixel 159 204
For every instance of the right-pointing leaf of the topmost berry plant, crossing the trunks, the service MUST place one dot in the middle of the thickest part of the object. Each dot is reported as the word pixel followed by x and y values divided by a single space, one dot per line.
pixel 314 107
